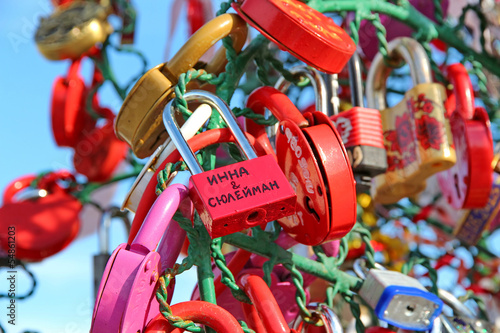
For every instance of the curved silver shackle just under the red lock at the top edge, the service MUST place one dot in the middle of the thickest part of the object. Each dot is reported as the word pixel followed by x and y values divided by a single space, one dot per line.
pixel 317 81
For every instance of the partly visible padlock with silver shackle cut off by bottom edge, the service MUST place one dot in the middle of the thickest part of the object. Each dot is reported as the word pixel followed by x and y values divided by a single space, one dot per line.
pixel 323 313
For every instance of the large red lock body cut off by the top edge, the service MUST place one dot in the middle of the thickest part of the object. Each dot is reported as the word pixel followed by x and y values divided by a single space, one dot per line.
pixel 304 32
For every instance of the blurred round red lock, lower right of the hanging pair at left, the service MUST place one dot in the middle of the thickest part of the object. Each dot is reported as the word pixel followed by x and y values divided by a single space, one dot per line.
pixel 99 152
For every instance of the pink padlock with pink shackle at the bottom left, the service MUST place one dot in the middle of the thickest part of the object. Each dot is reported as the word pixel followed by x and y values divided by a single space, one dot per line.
pixel 126 299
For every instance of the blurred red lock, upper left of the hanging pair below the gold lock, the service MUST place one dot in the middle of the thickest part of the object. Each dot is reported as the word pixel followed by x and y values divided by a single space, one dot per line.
pixel 69 117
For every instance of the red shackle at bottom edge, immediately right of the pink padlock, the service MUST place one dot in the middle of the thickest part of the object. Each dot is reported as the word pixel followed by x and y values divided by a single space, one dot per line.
pixel 199 312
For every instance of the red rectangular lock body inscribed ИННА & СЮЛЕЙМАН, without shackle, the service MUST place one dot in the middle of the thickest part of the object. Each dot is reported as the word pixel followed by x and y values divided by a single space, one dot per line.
pixel 230 199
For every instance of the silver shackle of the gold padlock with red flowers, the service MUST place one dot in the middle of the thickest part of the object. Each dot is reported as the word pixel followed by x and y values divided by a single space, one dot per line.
pixel 406 49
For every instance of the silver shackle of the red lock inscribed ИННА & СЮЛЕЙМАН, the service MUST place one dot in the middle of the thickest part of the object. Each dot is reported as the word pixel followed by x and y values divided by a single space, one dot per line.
pixel 180 142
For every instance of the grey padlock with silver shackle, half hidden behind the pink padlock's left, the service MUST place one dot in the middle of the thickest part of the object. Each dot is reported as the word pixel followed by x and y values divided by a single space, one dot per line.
pixel 101 259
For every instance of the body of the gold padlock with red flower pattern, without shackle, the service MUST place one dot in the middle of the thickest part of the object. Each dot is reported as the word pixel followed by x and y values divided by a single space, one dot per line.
pixel 418 142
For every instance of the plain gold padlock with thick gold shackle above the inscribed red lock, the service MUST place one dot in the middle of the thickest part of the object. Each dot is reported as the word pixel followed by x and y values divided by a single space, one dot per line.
pixel 139 122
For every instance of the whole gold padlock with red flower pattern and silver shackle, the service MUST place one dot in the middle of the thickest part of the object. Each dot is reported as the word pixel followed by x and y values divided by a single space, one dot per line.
pixel 417 135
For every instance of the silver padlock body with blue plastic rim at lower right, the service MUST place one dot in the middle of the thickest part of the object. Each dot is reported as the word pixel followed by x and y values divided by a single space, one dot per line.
pixel 400 300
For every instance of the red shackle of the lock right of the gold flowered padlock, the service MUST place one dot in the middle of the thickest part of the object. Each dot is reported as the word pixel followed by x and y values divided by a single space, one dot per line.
pixel 462 89
